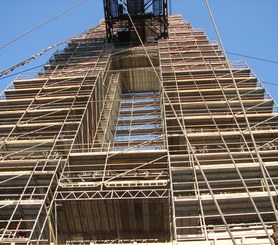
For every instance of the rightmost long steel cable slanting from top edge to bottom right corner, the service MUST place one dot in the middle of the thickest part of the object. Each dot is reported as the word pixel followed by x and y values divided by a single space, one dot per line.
pixel 261 163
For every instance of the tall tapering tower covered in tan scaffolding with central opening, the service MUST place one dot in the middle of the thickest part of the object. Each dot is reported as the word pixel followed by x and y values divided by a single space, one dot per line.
pixel 118 143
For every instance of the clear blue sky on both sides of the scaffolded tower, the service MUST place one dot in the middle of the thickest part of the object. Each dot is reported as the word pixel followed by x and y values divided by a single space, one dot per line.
pixel 246 27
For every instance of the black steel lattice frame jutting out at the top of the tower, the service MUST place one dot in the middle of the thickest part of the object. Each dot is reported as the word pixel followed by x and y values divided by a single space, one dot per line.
pixel 149 18
